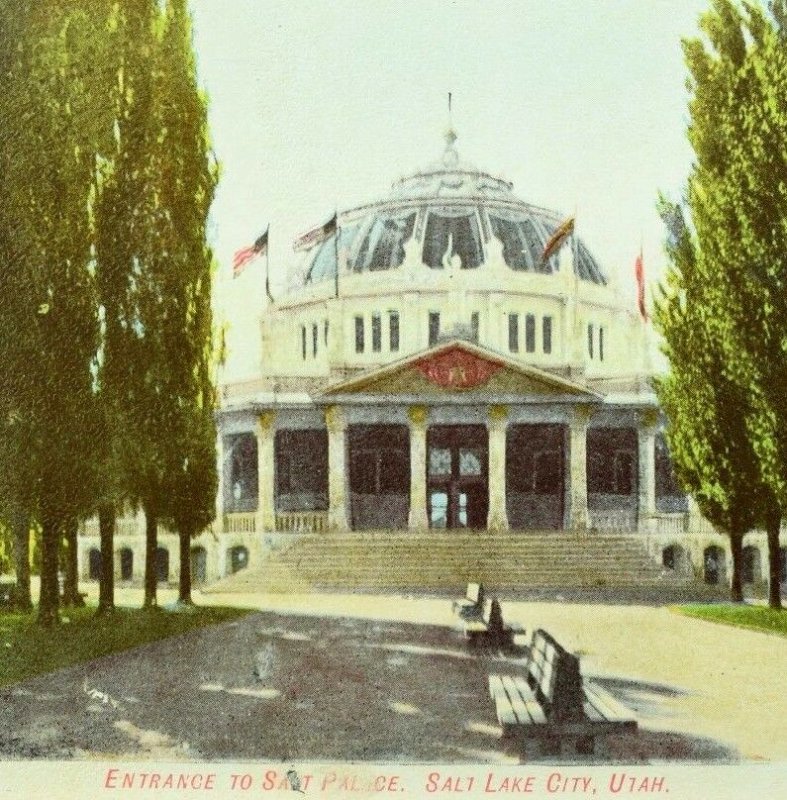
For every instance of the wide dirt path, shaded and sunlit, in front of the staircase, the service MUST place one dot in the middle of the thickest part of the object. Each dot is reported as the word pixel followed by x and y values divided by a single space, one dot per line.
pixel 388 679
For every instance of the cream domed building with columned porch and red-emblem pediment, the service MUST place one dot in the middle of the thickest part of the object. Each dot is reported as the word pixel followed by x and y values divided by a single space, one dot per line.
pixel 442 362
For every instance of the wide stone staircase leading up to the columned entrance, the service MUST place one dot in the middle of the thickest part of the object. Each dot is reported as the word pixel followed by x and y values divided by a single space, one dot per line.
pixel 399 561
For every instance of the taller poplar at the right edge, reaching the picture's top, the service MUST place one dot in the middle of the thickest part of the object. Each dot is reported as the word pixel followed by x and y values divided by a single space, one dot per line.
pixel 737 196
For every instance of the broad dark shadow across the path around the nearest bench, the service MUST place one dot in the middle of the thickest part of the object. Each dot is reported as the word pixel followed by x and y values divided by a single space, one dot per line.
pixel 279 687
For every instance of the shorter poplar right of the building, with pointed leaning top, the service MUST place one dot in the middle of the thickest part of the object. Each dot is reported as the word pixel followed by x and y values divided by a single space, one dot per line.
pixel 712 452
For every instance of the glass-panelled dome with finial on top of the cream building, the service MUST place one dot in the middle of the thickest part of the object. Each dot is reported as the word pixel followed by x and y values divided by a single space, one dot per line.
pixel 452 214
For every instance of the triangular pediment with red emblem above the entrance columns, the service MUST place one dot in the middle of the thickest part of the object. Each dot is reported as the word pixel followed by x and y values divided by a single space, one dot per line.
pixel 460 367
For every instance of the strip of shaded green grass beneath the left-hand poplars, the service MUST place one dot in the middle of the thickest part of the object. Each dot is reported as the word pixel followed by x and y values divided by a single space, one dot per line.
pixel 27 649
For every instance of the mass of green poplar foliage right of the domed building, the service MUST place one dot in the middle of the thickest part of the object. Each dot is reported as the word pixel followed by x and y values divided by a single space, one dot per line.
pixel 727 288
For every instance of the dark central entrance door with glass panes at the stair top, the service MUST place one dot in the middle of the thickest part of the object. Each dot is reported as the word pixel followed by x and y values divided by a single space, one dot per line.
pixel 457 476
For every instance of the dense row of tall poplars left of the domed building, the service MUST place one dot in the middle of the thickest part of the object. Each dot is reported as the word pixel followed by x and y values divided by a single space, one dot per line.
pixel 105 321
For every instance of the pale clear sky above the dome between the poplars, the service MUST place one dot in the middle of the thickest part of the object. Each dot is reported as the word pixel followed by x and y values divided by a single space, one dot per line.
pixel 313 105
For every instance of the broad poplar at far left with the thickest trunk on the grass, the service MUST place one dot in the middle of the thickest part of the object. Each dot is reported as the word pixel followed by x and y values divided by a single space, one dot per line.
pixel 55 88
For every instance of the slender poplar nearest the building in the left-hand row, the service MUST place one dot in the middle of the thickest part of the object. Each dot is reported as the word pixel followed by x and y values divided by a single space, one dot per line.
pixel 187 189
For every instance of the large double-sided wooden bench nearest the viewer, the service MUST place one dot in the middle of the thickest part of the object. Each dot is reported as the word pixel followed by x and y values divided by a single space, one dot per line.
pixel 553 705
